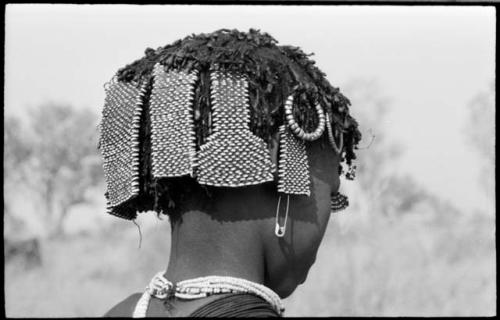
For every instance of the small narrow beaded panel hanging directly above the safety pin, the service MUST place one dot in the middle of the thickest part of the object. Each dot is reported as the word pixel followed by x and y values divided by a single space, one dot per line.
pixel 293 167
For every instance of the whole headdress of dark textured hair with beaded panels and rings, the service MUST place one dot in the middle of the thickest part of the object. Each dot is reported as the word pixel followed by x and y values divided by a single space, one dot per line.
pixel 207 107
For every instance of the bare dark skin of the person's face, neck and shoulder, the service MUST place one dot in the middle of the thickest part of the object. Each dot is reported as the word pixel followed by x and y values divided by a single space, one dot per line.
pixel 234 235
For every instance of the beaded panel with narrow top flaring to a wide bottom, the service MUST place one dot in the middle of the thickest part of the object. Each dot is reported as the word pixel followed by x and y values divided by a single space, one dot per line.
pixel 233 156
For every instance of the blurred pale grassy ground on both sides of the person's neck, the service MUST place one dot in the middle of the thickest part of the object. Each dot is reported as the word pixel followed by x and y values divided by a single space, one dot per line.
pixel 409 266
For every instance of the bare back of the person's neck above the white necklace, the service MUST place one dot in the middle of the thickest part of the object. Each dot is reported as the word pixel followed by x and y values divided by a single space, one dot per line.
pixel 202 246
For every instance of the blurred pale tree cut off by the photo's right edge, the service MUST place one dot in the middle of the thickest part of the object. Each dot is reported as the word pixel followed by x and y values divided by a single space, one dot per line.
pixel 480 133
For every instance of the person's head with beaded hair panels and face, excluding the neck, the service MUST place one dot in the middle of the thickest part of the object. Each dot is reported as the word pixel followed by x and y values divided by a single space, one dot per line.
pixel 230 127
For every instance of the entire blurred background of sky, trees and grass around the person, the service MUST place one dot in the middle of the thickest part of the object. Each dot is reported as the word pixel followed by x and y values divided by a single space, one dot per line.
pixel 419 236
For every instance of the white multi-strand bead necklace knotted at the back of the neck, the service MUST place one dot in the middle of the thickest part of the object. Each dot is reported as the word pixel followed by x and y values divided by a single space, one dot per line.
pixel 202 287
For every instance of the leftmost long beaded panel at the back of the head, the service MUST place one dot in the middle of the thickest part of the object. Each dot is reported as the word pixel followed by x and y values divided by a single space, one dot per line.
pixel 119 143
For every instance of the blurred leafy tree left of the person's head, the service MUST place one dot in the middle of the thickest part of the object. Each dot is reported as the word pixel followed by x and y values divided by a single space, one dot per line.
pixel 64 160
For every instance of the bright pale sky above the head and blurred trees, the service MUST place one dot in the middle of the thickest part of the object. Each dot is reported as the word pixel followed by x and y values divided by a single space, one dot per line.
pixel 430 61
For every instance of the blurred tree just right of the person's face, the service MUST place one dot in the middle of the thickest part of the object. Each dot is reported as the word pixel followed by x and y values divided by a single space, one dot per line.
pixel 385 193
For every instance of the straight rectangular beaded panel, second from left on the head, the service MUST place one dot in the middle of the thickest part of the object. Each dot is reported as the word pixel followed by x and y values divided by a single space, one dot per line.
pixel 172 129
